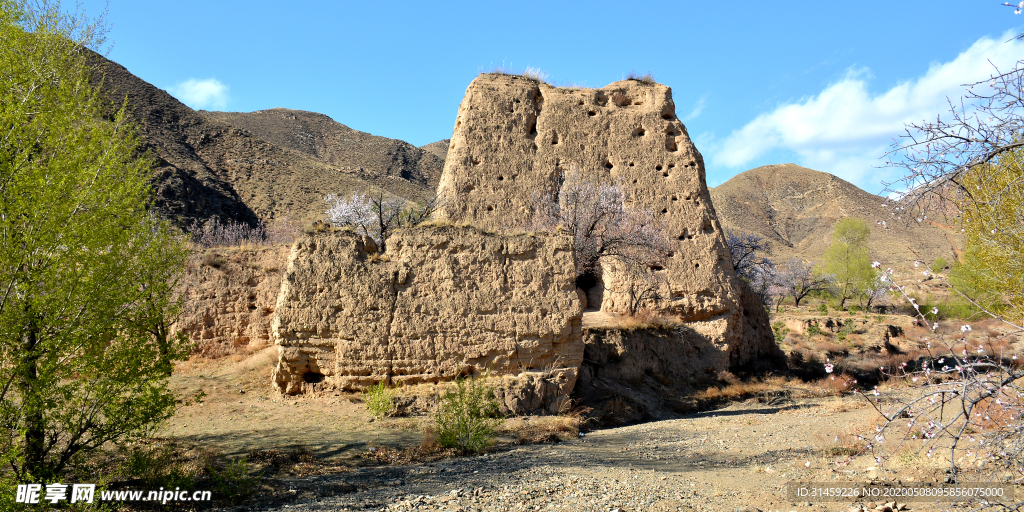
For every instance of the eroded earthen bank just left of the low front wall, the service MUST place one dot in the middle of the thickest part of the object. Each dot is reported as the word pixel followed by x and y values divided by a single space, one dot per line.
pixel 231 296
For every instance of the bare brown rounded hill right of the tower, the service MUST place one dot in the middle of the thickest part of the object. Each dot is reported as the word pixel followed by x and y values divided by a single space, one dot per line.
pixel 796 208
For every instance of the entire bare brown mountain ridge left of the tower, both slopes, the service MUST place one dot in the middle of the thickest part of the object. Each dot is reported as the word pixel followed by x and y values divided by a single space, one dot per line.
pixel 208 167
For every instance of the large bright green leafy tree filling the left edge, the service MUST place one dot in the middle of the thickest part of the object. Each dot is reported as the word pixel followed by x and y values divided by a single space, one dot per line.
pixel 87 273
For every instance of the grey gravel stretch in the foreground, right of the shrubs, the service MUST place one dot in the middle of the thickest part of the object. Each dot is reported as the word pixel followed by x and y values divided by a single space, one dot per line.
pixel 735 459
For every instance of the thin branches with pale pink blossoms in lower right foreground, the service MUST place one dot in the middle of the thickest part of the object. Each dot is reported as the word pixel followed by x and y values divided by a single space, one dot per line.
pixel 967 403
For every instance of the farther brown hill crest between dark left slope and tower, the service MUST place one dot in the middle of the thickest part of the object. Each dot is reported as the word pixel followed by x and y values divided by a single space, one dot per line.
pixel 324 139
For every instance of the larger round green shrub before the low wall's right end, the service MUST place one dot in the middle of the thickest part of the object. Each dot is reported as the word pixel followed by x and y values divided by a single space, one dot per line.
pixel 465 418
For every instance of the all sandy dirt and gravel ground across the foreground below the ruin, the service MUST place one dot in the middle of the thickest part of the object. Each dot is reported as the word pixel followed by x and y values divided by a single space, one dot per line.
pixel 737 458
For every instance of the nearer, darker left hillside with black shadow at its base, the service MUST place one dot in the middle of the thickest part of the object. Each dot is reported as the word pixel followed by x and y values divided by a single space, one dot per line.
pixel 208 168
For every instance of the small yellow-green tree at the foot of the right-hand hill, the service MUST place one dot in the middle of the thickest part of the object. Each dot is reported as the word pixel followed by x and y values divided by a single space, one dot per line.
pixel 847 260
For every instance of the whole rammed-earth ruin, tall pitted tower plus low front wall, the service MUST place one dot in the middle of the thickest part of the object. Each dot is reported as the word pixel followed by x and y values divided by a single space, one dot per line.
pixel 450 302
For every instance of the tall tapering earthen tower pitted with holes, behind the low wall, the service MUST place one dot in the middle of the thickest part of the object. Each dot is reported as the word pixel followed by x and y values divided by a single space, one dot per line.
pixel 515 137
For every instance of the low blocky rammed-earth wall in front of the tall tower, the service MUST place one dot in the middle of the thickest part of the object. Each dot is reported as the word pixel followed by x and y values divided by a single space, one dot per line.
pixel 443 303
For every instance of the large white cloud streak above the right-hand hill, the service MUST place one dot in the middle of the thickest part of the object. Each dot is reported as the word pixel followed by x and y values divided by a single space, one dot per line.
pixel 846 131
